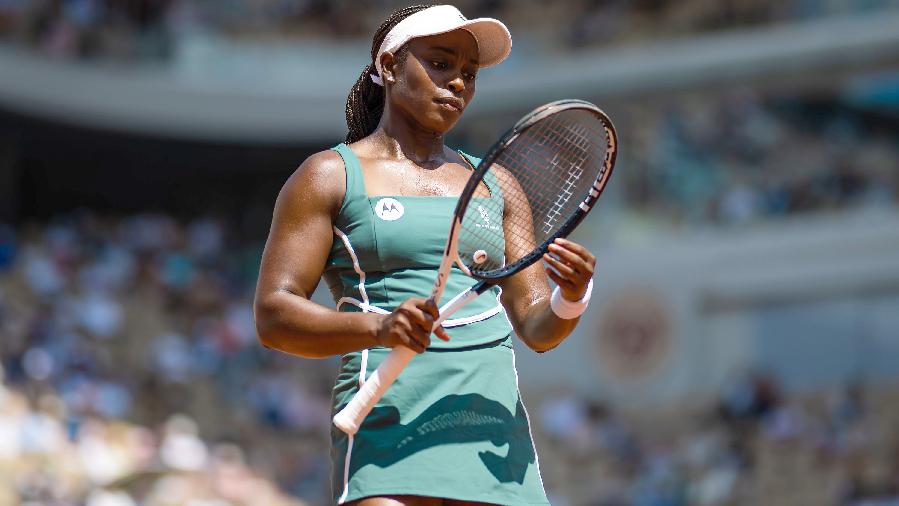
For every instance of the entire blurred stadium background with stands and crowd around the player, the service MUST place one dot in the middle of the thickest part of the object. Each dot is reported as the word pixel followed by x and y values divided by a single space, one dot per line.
pixel 743 345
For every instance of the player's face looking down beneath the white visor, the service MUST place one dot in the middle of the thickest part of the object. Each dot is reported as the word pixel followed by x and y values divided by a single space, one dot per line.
pixel 436 81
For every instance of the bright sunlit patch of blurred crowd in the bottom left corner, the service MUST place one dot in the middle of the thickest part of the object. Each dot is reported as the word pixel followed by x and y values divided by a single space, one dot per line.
pixel 50 456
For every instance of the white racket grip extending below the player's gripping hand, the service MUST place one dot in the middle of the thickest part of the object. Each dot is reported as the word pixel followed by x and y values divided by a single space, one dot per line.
pixel 350 418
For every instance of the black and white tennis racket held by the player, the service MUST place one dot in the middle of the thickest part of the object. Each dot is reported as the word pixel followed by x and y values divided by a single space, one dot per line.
pixel 534 185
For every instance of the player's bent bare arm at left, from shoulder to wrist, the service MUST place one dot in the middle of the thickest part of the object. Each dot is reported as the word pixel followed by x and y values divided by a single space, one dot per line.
pixel 295 254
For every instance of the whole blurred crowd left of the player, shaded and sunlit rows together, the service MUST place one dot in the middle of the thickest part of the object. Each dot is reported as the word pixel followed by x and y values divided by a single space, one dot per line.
pixel 134 337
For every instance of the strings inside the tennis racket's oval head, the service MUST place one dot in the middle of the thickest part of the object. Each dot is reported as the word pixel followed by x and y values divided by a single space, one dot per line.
pixel 542 176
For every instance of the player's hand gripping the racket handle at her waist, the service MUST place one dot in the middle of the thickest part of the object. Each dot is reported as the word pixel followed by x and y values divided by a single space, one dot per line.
pixel 410 325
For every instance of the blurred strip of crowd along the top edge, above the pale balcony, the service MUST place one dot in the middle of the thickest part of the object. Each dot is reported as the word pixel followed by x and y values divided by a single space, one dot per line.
pixel 148 29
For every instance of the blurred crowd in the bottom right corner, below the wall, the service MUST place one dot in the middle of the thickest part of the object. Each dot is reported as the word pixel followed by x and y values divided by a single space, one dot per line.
pixel 757 446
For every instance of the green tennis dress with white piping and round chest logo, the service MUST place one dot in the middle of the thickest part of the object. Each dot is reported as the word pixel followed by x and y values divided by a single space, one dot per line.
pixel 453 425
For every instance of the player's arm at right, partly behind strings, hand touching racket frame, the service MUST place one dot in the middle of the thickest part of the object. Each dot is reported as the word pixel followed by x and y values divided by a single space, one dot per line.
pixel 526 295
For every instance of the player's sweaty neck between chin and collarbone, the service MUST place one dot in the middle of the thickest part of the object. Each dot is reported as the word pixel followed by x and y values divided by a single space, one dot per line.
pixel 404 139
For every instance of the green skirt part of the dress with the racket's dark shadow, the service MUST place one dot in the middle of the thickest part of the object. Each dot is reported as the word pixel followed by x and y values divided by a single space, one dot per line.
pixel 452 426
